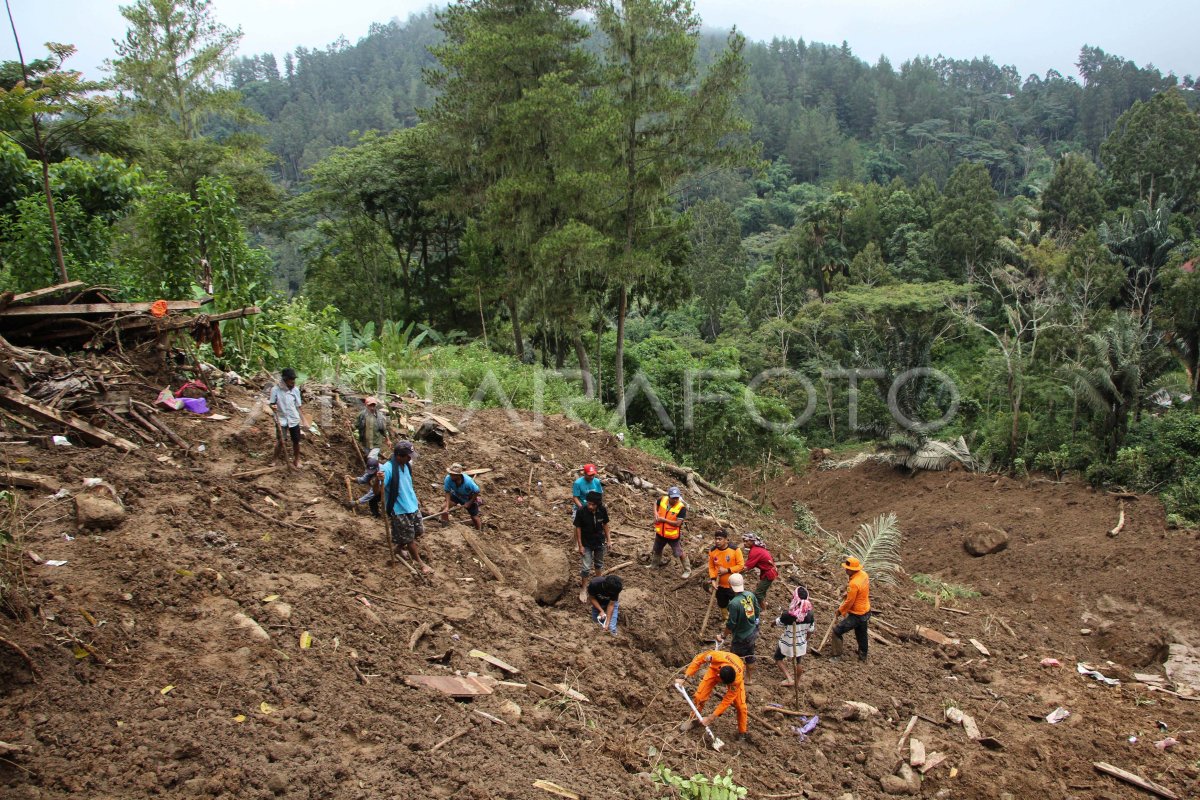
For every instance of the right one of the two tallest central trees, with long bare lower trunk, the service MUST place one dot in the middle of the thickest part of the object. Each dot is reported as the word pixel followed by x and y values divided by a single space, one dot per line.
pixel 670 125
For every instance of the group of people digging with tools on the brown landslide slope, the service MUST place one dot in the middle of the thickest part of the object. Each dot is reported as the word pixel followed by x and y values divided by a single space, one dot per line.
pixel 741 610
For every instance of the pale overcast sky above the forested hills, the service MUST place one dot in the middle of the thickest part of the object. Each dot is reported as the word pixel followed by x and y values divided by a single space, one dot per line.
pixel 1035 35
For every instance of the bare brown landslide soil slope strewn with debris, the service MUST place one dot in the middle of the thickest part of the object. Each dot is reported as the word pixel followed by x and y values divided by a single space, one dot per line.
pixel 155 601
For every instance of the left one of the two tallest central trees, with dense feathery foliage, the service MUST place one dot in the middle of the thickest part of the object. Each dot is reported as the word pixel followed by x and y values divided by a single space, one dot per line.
pixel 519 130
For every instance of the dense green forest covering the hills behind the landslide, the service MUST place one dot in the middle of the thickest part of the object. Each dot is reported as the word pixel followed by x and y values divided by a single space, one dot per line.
pixel 730 251
